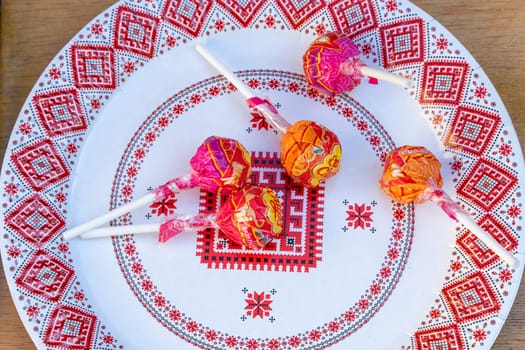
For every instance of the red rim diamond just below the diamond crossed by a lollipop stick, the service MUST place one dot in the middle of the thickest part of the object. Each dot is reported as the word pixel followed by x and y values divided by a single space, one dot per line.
pixel 471 298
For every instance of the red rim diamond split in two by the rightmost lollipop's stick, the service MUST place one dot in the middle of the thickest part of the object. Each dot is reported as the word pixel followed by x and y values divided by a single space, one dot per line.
pixel 477 251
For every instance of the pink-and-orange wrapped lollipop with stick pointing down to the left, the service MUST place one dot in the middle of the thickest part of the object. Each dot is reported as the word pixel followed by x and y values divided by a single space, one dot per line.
pixel 219 165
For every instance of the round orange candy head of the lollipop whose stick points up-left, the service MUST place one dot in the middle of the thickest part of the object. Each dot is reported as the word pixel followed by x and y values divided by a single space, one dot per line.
pixel 311 153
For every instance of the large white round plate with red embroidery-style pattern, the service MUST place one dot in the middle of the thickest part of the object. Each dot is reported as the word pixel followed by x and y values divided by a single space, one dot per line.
pixel 123 107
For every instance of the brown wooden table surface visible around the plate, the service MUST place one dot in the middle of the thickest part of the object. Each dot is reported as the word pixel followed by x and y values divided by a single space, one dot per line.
pixel 33 31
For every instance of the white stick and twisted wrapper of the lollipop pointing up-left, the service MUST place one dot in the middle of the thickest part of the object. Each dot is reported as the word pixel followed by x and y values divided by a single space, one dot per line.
pixel 265 107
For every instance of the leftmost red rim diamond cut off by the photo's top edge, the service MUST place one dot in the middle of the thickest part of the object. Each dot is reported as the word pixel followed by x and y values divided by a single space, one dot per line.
pixel 187 15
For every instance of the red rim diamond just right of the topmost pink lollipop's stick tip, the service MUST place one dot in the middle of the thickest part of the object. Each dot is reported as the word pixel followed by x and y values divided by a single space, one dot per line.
pixel 443 82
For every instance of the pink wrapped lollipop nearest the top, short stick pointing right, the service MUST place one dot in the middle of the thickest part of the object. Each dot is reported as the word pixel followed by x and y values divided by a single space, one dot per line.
pixel 331 64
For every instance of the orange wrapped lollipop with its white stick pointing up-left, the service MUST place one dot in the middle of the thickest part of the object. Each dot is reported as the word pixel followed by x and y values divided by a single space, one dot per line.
pixel 310 152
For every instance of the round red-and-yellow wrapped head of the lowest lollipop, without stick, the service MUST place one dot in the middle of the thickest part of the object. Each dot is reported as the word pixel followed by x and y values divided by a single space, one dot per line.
pixel 251 216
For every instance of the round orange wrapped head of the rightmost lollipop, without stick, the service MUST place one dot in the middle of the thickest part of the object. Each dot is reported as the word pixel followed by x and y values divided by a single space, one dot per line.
pixel 409 172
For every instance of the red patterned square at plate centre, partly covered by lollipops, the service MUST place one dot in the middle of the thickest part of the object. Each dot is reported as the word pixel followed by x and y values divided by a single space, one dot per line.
pixel 298 249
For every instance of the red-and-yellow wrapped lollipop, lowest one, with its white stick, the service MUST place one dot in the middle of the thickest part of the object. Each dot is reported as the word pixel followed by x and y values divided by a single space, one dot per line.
pixel 251 216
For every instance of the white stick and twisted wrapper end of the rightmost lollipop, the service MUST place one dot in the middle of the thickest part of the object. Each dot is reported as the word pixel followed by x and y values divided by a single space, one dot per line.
pixel 442 199
